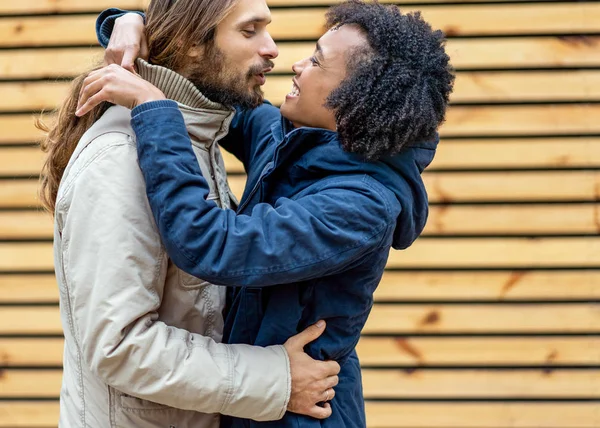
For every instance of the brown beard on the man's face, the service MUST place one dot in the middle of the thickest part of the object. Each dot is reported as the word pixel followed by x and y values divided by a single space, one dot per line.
pixel 225 86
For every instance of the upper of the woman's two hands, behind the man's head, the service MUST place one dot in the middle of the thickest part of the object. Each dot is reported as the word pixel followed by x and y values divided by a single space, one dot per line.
pixel 127 42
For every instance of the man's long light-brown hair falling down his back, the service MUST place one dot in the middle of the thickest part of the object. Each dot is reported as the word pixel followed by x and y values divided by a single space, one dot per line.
pixel 173 28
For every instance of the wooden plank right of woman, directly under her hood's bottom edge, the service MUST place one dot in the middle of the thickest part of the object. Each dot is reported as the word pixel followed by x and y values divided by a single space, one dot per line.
pixel 499 253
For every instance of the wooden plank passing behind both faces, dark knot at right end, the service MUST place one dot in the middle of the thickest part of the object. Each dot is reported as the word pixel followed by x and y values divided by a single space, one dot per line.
pixel 466 53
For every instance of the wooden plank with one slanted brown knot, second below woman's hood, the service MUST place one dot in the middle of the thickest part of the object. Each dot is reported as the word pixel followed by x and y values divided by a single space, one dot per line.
pixel 491 286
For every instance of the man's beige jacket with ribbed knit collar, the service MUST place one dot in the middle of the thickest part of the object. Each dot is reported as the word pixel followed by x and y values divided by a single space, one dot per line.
pixel 141 336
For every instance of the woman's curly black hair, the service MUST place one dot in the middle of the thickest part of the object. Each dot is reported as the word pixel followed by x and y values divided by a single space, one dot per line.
pixel 398 86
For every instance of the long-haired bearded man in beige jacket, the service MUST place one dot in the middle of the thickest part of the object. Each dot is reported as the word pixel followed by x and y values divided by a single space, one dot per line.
pixel 141 336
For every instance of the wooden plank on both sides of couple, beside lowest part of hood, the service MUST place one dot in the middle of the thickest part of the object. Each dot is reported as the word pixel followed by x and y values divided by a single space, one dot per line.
pixel 553 219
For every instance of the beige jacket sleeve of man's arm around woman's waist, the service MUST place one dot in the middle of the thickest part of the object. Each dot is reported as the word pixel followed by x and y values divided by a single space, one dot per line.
pixel 115 269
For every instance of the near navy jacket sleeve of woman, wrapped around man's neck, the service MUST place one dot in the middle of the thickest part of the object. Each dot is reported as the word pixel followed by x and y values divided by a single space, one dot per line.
pixel 294 240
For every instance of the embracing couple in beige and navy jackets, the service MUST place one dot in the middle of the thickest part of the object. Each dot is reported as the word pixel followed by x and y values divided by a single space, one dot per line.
pixel 183 307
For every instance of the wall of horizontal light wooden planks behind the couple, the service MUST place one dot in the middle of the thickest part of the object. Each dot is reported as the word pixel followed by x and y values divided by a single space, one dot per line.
pixel 490 320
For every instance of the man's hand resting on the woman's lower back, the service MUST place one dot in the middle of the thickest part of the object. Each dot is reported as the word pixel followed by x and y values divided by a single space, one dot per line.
pixel 312 380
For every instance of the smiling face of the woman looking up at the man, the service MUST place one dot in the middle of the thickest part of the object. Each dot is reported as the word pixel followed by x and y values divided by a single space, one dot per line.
pixel 317 76
